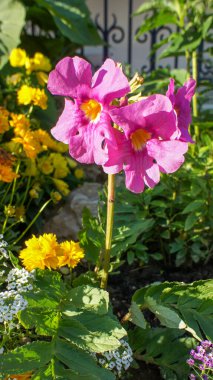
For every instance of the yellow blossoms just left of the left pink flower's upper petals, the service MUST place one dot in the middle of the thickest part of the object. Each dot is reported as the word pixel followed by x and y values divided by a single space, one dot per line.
pixel 27 95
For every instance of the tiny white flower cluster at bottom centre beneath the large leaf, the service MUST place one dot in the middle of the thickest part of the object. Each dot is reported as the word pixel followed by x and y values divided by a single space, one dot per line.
pixel 118 360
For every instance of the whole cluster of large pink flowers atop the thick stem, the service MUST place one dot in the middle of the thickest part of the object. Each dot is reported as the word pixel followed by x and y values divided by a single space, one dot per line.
pixel 142 138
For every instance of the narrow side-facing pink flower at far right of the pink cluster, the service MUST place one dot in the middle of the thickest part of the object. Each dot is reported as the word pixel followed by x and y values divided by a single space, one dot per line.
pixel 181 103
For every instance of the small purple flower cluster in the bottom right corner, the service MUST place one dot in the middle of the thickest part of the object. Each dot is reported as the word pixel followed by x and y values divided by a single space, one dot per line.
pixel 201 361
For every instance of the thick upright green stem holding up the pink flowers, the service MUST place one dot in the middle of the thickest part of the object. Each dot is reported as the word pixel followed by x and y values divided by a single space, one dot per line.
pixel 109 228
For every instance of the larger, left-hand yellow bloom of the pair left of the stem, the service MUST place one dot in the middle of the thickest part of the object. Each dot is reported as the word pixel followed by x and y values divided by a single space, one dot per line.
pixel 41 252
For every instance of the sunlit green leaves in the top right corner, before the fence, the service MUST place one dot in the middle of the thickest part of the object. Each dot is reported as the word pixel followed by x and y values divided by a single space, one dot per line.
pixel 191 32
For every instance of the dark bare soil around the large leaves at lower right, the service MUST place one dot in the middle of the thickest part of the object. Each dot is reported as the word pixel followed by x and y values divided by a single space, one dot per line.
pixel 123 285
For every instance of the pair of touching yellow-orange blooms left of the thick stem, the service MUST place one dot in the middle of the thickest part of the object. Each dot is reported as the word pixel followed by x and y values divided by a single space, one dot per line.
pixel 44 251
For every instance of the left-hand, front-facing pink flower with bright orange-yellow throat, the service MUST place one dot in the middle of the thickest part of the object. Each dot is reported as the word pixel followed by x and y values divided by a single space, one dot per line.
pixel 85 120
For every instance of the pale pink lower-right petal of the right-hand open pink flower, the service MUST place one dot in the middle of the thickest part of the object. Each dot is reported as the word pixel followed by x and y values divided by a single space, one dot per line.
pixel 168 154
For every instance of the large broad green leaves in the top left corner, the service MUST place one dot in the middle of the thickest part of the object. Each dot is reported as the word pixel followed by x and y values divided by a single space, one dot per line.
pixel 63 27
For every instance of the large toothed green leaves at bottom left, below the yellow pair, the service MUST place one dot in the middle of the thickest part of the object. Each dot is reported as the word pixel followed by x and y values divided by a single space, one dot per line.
pixel 69 324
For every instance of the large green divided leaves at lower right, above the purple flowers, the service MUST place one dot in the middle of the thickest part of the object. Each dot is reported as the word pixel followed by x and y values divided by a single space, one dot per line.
pixel 178 308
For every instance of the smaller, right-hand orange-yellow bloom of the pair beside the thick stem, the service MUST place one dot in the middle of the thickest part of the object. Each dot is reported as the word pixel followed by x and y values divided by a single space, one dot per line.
pixel 72 253
